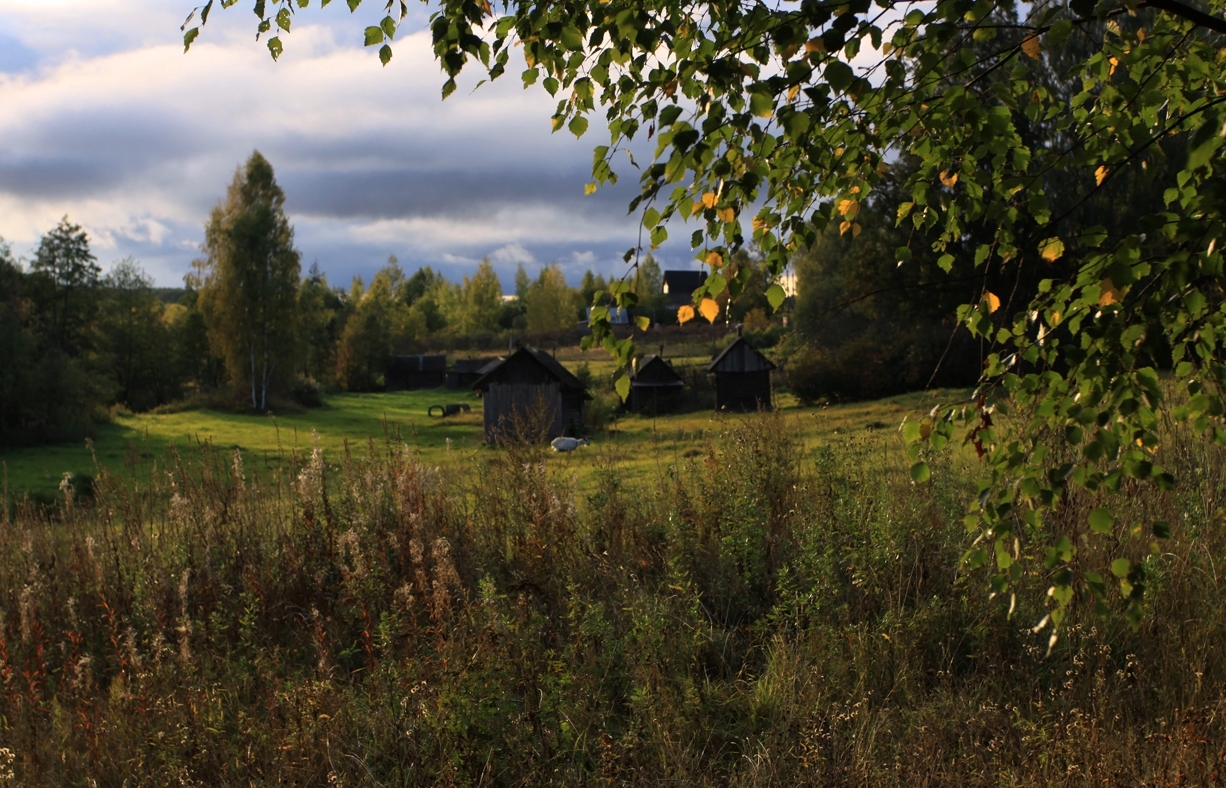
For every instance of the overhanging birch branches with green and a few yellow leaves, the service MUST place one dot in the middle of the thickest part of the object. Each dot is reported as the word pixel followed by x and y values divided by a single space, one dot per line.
pixel 795 112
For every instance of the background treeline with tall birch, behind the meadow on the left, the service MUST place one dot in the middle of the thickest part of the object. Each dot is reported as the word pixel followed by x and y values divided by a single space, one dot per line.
pixel 248 328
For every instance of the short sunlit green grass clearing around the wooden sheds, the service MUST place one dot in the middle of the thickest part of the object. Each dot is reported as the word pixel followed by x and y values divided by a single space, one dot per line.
pixel 642 447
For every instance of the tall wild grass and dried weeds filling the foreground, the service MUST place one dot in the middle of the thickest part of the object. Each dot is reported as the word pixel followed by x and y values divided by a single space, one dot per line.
pixel 756 615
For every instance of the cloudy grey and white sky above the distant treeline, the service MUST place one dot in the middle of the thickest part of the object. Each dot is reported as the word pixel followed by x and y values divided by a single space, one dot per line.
pixel 109 122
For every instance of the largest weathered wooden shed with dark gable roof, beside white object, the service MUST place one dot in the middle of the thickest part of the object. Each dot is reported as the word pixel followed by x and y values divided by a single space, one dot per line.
pixel 530 390
